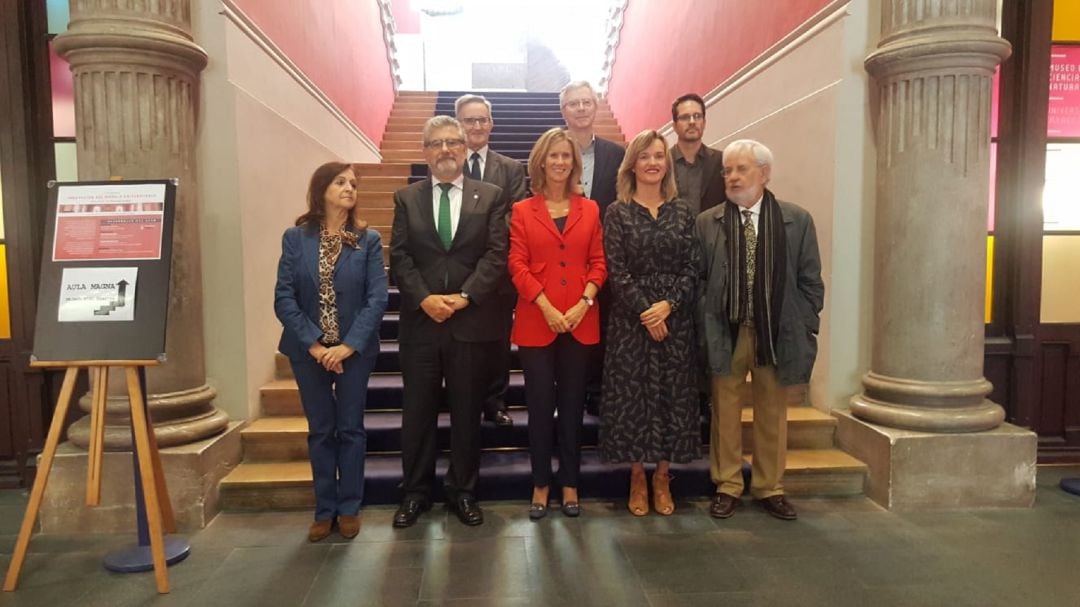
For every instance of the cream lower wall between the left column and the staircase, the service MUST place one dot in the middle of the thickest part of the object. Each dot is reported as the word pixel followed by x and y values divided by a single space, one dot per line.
pixel 263 129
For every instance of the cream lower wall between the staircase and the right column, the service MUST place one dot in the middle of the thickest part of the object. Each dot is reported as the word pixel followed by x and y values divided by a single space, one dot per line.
pixel 807 99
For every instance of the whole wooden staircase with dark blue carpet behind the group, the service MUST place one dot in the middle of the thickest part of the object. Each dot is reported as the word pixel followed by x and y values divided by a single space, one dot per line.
pixel 275 473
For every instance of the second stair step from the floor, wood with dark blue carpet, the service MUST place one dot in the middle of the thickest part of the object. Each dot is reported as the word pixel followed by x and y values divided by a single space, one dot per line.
pixel 285 438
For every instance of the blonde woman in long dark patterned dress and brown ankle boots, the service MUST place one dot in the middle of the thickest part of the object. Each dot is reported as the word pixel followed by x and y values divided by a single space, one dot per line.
pixel 651 412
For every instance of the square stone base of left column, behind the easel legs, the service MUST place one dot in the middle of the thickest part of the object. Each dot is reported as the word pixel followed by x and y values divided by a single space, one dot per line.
pixel 193 475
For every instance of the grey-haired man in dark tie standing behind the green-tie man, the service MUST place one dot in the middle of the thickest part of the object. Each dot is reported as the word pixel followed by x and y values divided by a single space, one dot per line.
pixel 485 165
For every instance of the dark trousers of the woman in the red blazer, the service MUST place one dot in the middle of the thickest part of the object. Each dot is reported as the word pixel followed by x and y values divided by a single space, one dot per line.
pixel 556 382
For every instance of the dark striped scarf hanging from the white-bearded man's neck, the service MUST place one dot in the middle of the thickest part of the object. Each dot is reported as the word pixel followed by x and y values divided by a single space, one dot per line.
pixel 768 281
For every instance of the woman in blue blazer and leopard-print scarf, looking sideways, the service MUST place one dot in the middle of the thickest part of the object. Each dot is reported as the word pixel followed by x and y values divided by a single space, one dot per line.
pixel 330 298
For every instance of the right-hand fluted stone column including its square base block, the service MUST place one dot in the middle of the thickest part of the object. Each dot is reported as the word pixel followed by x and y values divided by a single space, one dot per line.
pixel 923 423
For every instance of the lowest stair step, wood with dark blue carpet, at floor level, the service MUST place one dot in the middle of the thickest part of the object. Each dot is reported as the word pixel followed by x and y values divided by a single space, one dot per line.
pixel 505 476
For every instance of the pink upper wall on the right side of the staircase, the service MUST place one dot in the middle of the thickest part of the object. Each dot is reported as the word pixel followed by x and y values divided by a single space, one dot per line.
pixel 668 49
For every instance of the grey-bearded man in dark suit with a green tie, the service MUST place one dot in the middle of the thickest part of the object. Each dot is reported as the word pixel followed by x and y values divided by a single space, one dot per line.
pixel 448 257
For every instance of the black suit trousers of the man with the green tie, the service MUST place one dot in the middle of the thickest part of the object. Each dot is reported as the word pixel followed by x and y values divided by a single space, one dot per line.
pixel 464 367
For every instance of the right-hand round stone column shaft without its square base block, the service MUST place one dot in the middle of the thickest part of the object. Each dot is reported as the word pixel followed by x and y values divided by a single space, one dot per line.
pixel 934 70
